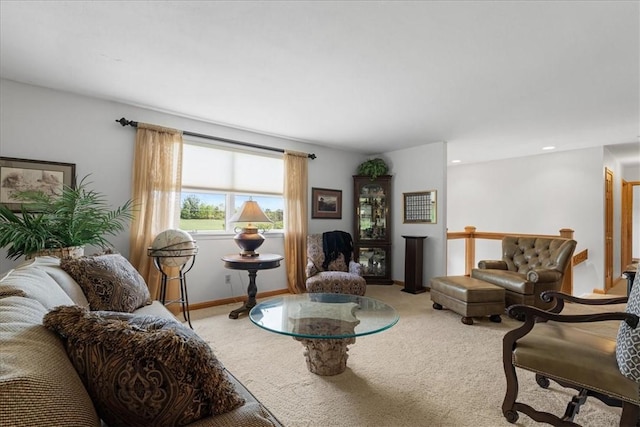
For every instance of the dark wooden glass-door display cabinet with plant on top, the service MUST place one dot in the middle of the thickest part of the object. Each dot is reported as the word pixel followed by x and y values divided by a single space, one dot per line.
pixel 372 234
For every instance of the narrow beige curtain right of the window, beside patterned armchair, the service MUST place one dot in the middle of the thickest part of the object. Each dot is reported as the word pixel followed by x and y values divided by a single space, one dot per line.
pixel 295 219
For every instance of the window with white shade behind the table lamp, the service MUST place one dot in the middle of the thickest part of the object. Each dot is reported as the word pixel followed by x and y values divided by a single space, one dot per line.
pixel 216 181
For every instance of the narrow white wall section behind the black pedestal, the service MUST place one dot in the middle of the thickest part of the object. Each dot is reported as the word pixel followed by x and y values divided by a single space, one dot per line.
pixel 421 168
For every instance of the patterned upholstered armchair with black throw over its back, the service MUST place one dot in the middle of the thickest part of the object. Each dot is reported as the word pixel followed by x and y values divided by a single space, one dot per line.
pixel 330 265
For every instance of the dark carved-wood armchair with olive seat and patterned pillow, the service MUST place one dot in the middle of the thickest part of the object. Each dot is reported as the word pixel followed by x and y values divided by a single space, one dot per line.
pixel 580 351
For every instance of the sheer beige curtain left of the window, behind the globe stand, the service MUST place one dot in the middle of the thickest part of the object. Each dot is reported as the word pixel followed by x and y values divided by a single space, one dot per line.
pixel 157 182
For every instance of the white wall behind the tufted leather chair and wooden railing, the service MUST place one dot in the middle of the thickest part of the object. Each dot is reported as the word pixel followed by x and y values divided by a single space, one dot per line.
pixel 537 194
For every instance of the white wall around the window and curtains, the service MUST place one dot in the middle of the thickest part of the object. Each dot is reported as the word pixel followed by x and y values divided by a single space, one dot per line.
pixel 43 124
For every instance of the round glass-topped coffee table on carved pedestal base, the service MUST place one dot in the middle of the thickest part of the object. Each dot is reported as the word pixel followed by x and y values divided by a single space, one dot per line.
pixel 325 324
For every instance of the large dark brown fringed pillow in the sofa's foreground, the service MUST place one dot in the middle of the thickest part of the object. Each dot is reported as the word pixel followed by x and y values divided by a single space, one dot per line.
pixel 143 370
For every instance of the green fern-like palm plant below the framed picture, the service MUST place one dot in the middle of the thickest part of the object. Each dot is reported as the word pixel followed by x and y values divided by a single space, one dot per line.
pixel 72 219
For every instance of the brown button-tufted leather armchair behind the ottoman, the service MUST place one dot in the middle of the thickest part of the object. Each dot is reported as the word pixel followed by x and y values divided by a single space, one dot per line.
pixel 529 266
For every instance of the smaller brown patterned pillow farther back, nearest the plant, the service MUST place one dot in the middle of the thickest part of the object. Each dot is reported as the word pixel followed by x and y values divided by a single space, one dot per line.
pixel 109 282
